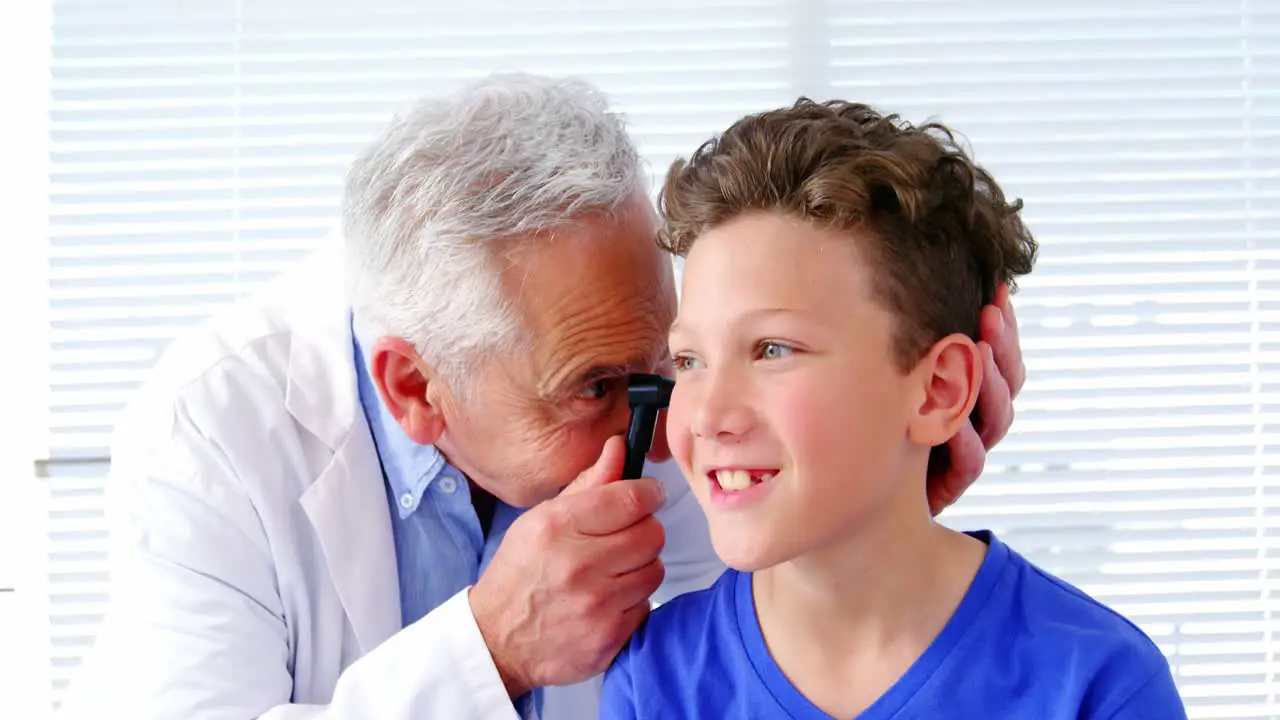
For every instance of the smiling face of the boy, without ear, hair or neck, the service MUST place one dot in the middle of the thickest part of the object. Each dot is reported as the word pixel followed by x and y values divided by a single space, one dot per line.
pixel 790 417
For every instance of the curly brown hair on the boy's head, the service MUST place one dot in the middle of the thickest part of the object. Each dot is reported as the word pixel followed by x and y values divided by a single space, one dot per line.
pixel 943 236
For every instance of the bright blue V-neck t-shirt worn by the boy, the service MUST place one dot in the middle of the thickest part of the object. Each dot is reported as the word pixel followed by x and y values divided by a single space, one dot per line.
pixel 1021 646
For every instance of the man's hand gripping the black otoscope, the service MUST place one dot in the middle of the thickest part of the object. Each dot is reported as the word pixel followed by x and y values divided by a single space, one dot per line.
pixel 573 578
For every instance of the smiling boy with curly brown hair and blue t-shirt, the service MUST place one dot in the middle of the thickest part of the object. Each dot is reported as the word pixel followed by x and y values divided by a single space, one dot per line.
pixel 836 265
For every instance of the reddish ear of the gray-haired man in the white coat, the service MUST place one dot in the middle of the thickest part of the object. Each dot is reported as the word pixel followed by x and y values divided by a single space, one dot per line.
pixel 409 389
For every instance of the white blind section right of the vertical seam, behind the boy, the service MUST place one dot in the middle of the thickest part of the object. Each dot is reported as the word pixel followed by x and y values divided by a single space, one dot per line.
pixel 1145 136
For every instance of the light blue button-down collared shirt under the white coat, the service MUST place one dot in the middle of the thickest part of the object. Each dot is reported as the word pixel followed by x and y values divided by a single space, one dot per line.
pixel 440 545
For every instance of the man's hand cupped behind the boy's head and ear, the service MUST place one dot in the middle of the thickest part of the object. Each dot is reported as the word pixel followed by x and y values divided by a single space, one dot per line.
pixel 1003 380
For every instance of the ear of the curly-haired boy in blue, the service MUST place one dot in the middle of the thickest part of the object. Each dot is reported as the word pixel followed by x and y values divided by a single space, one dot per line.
pixel 950 376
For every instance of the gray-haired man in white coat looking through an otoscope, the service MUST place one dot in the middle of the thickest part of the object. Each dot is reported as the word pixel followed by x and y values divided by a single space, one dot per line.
pixel 307 493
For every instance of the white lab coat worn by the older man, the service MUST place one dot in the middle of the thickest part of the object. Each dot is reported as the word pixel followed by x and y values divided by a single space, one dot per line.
pixel 254 569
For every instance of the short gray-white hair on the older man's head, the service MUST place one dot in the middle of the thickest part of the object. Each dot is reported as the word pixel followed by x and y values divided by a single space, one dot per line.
pixel 427 203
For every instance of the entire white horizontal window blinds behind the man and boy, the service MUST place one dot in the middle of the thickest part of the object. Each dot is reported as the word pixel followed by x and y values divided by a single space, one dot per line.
pixel 199 147
